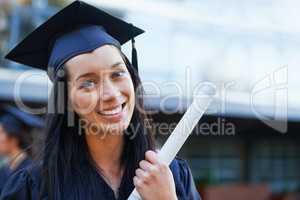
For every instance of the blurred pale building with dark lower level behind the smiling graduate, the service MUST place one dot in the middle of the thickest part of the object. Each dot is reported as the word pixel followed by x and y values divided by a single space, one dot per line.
pixel 248 144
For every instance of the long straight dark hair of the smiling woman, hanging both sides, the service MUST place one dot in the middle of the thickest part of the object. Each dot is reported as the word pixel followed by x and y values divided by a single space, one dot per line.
pixel 66 150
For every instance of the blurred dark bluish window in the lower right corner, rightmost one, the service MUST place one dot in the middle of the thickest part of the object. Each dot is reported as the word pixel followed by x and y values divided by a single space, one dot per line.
pixel 276 162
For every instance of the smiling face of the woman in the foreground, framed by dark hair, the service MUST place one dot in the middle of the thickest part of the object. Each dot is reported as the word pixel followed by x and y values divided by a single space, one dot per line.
pixel 101 90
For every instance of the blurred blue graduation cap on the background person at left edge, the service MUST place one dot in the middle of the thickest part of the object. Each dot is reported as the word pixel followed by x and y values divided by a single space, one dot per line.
pixel 14 120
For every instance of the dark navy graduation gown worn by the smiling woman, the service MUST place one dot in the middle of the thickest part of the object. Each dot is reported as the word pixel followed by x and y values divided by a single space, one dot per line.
pixel 26 183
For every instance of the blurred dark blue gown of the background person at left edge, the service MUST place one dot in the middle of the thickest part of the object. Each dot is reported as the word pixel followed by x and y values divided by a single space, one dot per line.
pixel 5 172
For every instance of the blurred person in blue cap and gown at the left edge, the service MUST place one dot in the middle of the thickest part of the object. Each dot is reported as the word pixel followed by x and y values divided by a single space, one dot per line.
pixel 15 140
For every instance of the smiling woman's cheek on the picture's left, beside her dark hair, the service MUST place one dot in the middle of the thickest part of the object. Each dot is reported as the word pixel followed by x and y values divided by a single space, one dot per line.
pixel 83 102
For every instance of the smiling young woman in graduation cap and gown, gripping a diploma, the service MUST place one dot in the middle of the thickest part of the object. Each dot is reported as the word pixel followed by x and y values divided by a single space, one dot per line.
pixel 107 151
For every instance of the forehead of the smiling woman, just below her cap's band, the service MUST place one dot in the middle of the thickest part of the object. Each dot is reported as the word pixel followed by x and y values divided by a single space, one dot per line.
pixel 100 59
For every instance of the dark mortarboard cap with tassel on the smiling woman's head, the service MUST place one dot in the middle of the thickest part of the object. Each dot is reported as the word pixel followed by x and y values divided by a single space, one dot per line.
pixel 76 29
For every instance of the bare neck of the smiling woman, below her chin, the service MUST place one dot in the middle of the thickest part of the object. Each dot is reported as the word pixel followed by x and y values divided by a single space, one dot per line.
pixel 106 151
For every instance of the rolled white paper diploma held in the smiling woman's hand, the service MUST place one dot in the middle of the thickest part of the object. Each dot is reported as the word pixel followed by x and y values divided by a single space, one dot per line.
pixel 181 132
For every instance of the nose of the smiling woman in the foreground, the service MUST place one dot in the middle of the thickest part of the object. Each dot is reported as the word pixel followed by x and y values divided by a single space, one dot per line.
pixel 108 91
